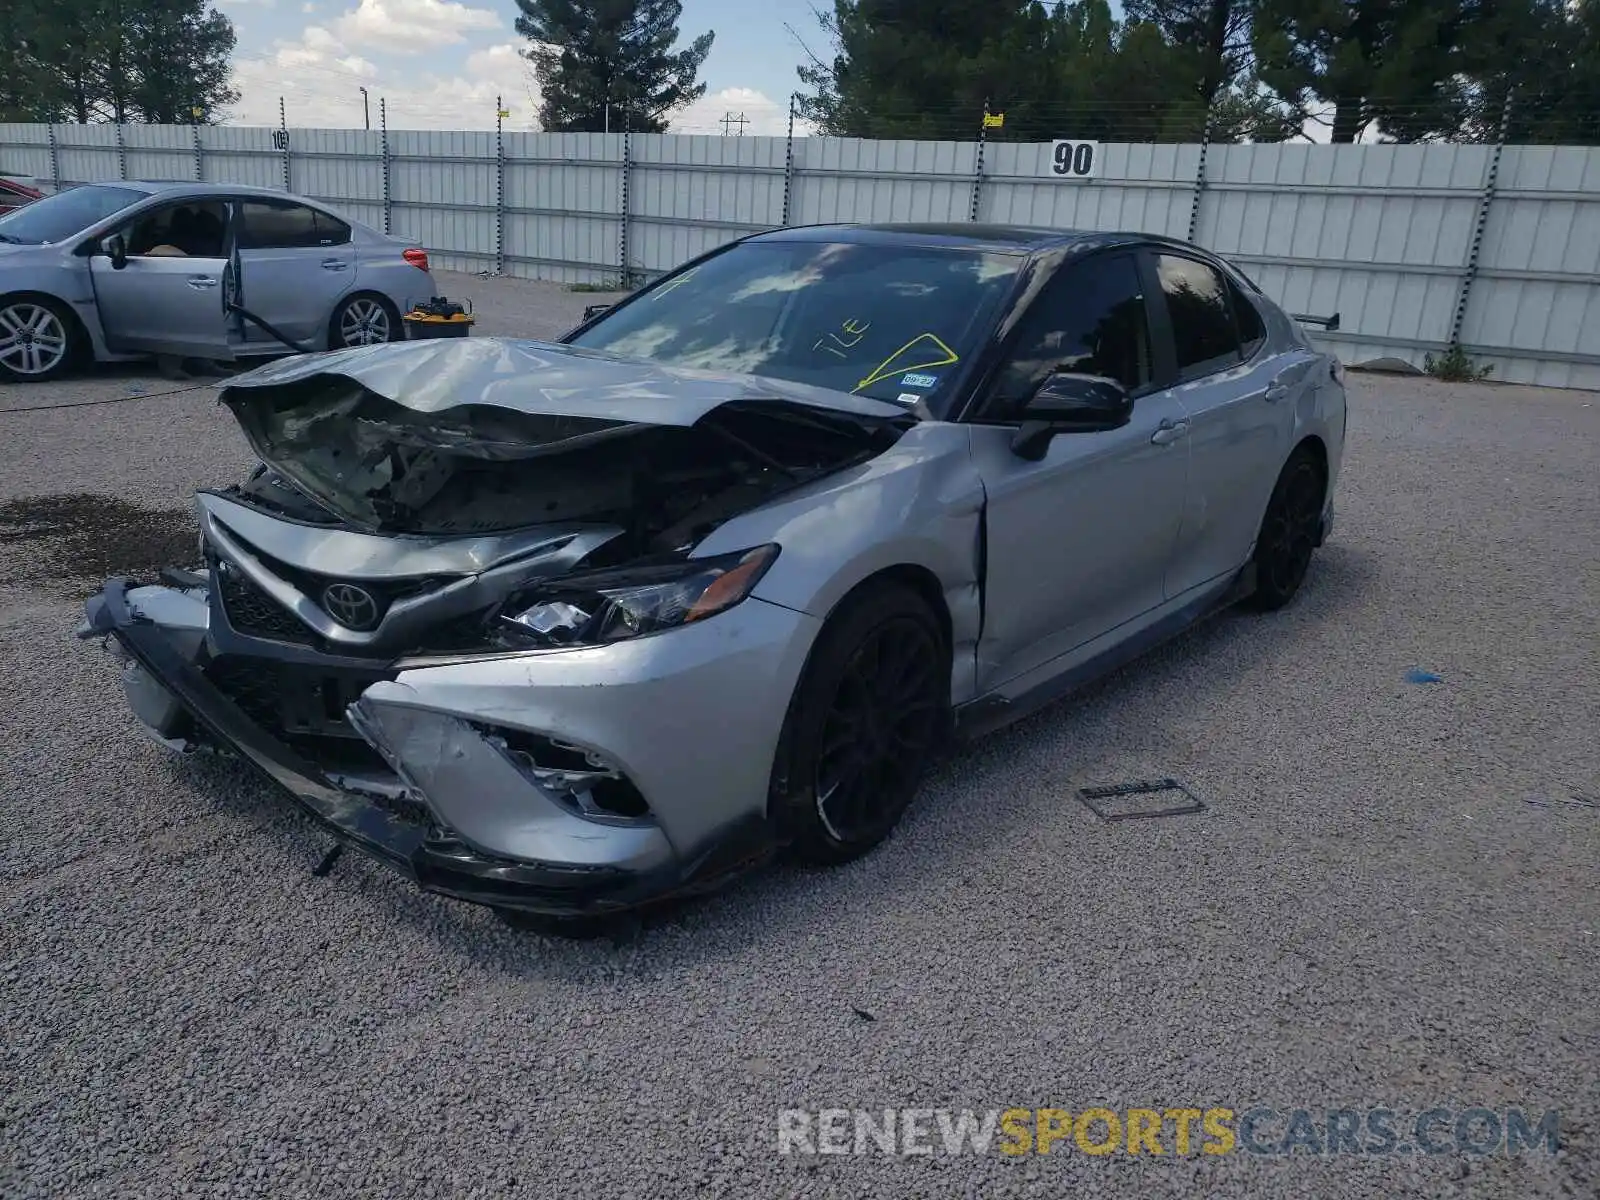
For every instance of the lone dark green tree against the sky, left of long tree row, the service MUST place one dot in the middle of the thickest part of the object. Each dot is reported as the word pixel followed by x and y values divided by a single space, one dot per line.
pixel 610 63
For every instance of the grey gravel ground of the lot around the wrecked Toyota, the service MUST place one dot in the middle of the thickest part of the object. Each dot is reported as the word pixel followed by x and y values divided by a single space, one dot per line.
pixel 1391 902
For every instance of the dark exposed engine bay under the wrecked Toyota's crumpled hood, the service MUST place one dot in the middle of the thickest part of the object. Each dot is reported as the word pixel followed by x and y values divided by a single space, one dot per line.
pixel 342 455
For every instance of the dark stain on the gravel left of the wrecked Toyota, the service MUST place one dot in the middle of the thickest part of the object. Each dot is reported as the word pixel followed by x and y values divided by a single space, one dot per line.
pixel 79 540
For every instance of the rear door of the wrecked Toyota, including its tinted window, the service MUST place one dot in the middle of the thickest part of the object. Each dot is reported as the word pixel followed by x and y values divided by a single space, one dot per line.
pixel 1241 415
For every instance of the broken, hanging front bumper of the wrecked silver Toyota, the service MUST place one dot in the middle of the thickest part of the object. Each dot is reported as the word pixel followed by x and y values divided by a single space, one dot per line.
pixel 471 791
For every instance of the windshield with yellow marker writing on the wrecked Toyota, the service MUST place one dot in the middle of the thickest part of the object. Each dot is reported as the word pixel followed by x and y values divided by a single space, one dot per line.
pixel 887 322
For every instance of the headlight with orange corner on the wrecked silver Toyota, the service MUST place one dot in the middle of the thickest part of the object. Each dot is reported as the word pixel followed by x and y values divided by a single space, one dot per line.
pixel 631 602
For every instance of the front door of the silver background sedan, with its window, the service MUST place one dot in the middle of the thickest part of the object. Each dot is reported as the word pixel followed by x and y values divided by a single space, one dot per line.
pixel 169 297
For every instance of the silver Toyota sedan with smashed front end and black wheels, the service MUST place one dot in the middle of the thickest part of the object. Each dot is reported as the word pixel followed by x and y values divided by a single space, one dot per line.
pixel 567 630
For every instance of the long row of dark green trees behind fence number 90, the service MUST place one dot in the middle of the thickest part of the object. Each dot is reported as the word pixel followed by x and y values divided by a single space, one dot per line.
pixel 1257 70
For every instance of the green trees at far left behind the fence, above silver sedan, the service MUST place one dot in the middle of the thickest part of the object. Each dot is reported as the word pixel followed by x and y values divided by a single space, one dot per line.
pixel 114 60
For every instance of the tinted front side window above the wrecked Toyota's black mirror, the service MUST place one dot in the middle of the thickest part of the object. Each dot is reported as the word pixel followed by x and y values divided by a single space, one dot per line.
pixel 1092 321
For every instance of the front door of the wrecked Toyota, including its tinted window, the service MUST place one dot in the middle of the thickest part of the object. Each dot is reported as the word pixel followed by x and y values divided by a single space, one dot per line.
pixel 1078 543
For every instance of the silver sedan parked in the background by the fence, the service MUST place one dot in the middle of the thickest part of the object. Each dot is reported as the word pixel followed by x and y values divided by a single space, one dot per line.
pixel 196 271
